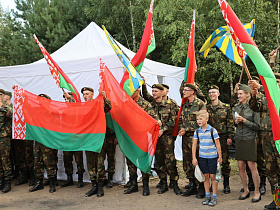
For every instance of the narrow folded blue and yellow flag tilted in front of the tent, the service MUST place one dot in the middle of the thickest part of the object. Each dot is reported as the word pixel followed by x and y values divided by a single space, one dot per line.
pixel 134 77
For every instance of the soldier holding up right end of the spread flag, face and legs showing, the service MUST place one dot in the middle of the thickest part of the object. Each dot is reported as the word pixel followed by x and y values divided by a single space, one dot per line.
pixel 95 166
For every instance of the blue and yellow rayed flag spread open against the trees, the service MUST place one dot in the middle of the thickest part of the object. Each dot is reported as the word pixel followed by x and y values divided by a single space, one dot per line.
pixel 221 38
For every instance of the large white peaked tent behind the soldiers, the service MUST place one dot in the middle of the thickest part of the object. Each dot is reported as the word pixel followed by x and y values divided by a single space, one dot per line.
pixel 80 60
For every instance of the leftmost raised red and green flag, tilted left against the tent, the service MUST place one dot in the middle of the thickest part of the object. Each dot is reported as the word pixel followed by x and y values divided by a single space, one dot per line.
pixel 61 79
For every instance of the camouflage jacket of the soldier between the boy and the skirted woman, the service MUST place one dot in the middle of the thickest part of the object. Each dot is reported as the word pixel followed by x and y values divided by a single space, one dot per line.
pixel 221 118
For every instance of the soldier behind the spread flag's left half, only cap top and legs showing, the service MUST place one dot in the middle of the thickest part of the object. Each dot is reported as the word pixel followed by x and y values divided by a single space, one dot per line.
pixel 44 157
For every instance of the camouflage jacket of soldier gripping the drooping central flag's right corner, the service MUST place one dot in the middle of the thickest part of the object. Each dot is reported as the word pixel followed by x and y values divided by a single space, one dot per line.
pixel 166 114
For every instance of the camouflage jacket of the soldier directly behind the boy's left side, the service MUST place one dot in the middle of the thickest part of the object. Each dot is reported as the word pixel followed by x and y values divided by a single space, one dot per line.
pixel 187 119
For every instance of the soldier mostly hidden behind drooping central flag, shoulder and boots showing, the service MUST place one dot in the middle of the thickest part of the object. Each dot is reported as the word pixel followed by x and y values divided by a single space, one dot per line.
pixel 133 187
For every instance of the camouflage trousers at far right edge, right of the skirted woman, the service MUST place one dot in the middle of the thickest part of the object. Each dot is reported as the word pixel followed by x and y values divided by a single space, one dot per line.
pixel 272 158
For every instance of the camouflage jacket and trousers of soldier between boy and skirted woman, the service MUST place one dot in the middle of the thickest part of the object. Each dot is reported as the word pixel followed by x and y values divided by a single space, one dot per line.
pixel 221 118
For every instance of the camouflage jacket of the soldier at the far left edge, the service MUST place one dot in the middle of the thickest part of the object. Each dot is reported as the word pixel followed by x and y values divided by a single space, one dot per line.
pixel 6 113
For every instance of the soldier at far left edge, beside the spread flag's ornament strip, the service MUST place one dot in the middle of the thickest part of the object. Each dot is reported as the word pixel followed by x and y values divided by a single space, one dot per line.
pixel 6 113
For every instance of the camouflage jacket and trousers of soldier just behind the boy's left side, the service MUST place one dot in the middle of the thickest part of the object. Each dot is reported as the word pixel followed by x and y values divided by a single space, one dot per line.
pixel 187 121
